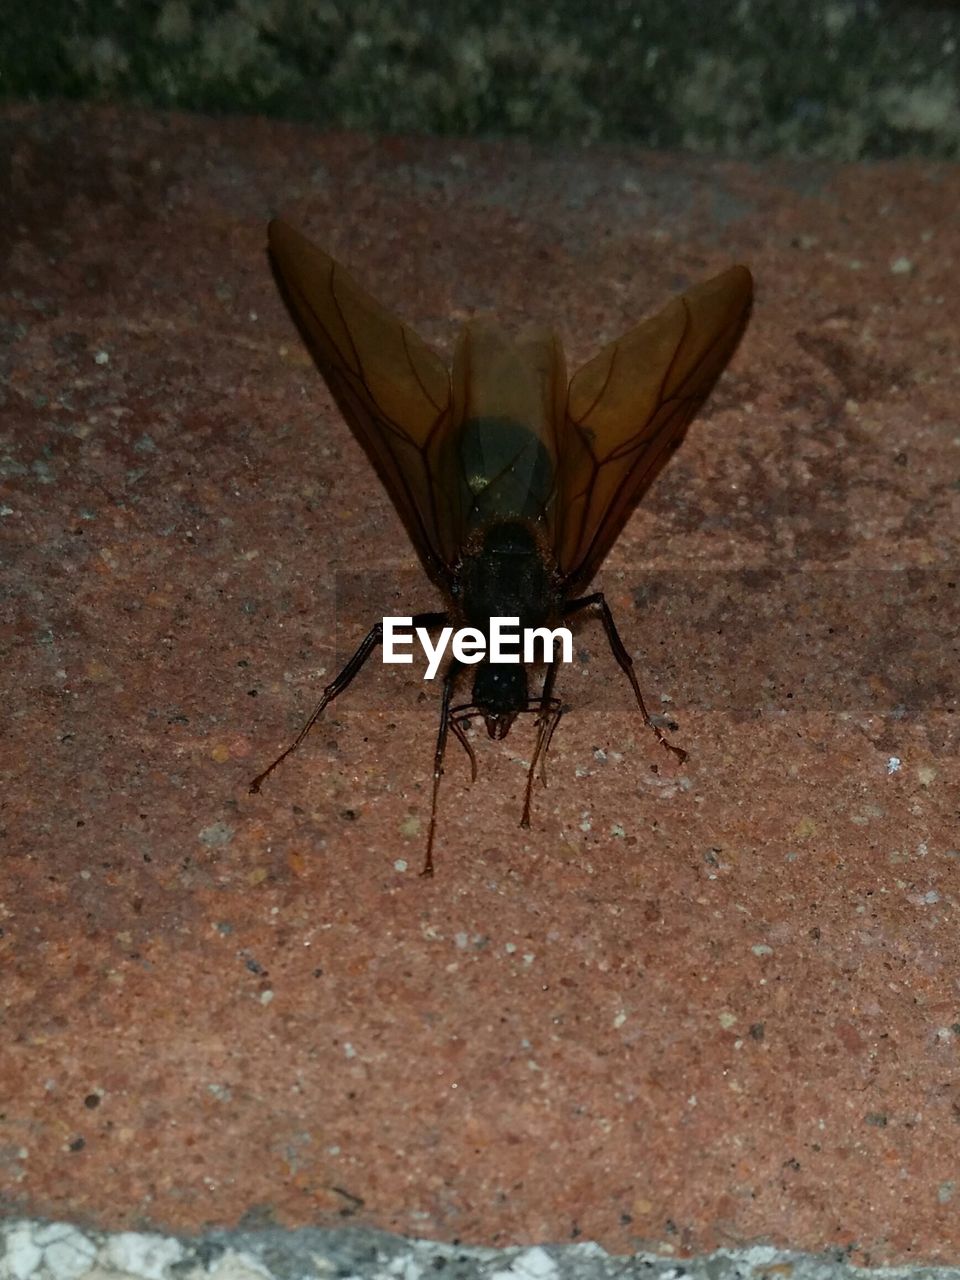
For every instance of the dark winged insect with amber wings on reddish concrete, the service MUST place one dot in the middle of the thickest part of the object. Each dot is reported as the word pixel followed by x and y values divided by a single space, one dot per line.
pixel 513 482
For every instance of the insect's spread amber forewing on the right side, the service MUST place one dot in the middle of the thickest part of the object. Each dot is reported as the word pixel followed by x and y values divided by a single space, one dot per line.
pixel 628 410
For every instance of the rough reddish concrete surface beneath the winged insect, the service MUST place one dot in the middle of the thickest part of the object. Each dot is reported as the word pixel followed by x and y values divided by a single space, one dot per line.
pixel 693 1005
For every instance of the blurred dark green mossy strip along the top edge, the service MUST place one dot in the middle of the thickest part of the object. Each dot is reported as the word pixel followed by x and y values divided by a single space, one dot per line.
pixel 842 80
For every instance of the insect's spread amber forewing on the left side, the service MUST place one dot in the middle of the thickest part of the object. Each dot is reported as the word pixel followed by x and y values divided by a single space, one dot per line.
pixel 394 391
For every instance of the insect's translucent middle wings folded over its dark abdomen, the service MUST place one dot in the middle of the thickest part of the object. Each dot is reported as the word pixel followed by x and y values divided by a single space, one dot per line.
pixel 509 395
